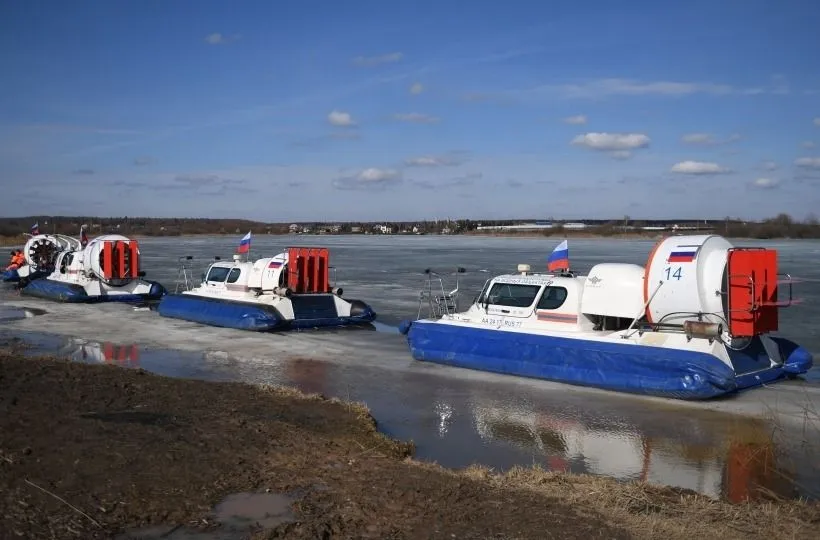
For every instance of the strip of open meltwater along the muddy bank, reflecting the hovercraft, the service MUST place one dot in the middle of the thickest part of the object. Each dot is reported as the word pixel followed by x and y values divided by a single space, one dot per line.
pixel 460 422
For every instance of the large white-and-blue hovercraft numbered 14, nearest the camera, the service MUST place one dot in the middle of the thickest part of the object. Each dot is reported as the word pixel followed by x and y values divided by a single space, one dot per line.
pixel 696 322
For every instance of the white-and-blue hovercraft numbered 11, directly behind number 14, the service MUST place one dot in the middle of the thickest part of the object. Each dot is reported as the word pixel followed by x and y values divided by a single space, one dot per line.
pixel 289 291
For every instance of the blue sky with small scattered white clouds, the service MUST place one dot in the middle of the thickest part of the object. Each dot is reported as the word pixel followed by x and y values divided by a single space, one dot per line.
pixel 410 110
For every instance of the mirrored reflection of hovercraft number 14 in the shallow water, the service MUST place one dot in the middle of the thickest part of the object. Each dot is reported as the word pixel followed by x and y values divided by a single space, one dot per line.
pixel 739 465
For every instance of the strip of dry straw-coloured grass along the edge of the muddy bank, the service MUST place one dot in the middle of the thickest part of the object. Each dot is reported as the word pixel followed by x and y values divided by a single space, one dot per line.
pixel 643 510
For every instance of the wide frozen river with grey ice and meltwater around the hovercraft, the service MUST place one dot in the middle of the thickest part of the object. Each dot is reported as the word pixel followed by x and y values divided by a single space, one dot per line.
pixel 457 417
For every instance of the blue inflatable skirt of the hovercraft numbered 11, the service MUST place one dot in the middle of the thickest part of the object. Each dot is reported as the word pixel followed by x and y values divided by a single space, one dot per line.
pixel 258 317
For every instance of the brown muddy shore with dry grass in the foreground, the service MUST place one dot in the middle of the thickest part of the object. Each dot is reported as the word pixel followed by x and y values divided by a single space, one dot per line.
pixel 91 451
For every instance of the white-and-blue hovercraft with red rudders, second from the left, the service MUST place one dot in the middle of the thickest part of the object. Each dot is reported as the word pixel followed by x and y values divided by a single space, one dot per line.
pixel 106 270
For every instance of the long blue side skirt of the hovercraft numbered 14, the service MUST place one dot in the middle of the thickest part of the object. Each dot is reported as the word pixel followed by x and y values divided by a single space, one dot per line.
pixel 612 366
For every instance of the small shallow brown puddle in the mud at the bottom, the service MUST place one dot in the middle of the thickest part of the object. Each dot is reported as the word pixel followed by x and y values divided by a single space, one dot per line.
pixel 236 516
